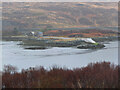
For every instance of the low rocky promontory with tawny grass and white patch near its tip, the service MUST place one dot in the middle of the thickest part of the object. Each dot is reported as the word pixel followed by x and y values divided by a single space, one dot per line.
pixel 45 42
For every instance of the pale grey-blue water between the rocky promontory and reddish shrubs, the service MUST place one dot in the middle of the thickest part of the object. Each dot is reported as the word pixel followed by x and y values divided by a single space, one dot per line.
pixel 16 55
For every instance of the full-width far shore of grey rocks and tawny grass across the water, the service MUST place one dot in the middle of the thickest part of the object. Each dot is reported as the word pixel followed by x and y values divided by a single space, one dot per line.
pixel 46 42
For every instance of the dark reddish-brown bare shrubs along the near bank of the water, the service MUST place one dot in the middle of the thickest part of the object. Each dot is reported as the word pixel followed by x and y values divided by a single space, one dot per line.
pixel 95 75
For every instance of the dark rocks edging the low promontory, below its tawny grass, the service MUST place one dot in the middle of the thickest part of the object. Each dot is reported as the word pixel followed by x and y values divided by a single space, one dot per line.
pixel 44 44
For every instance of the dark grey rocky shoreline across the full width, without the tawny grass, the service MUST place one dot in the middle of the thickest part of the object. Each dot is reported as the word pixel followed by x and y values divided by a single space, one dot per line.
pixel 44 44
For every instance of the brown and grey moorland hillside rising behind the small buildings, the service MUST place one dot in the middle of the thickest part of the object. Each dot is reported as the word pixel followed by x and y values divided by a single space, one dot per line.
pixel 58 15
